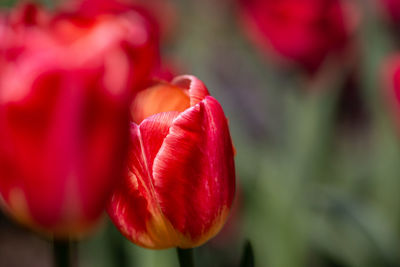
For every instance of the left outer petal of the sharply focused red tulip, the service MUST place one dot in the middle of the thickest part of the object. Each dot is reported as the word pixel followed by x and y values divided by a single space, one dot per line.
pixel 134 208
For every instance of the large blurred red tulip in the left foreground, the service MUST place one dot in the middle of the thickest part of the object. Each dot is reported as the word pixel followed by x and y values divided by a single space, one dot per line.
pixel 65 91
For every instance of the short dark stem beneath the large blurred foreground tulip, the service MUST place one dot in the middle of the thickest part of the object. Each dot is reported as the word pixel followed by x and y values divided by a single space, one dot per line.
pixel 64 253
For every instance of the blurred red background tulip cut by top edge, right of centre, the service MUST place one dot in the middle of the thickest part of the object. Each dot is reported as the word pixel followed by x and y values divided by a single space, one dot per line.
pixel 304 32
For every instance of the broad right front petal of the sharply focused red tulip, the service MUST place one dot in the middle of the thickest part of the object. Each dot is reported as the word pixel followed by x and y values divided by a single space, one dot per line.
pixel 193 173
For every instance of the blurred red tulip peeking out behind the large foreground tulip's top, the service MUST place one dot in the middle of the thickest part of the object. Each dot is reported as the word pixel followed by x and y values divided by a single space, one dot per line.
pixel 141 44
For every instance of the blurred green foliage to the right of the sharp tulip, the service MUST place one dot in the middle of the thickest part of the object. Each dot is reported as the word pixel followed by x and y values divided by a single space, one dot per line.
pixel 317 192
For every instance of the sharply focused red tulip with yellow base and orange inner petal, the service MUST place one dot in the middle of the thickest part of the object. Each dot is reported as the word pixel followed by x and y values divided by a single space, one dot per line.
pixel 180 181
